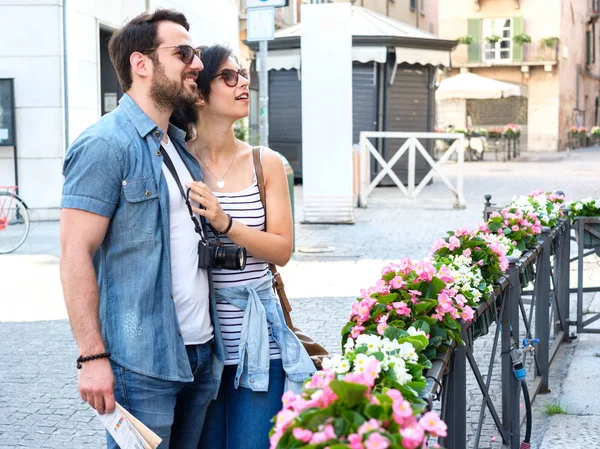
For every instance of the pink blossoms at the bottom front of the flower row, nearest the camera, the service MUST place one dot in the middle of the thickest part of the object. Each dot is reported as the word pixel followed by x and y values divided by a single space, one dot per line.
pixel 372 434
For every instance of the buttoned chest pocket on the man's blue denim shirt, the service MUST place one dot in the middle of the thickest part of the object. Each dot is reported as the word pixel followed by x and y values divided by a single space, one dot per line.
pixel 142 205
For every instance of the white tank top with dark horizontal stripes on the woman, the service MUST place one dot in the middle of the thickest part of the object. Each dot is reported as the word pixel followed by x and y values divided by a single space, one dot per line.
pixel 245 207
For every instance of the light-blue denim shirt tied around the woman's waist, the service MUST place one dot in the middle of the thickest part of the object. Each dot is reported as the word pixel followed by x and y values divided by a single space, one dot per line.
pixel 260 306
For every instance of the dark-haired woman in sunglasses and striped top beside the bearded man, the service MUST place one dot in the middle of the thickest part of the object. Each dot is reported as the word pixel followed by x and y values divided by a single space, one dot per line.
pixel 263 356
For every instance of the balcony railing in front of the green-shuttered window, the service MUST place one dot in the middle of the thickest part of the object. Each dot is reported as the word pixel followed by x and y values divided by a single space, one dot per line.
pixel 532 53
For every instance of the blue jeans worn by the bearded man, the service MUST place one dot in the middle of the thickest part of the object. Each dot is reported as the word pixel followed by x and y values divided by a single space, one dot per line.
pixel 175 411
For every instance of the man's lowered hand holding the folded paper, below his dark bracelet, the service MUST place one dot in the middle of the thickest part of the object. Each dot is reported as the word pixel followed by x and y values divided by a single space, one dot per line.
pixel 96 385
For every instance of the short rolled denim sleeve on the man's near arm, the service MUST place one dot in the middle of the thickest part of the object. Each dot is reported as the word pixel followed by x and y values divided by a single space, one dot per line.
pixel 93 176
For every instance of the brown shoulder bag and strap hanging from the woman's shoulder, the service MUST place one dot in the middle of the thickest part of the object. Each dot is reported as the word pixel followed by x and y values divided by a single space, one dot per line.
pixel 314 349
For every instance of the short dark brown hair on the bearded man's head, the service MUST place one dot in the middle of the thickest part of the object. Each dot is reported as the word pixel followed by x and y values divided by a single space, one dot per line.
pixel 139 34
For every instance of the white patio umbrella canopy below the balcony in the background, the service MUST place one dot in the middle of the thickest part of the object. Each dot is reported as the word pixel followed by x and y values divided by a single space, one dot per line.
pixel 474 87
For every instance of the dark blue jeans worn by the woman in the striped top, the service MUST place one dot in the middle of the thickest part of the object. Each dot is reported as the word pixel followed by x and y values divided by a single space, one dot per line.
pixel 241 418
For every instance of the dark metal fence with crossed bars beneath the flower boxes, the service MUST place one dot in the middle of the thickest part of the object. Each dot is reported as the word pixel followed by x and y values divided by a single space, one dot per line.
pixel 538 319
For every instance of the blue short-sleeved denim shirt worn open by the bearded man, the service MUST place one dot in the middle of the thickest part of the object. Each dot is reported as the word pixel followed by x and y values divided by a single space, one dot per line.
pixel 114 169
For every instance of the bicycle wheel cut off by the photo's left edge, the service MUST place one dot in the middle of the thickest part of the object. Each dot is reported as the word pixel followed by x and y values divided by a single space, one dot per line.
pixel 14 220
